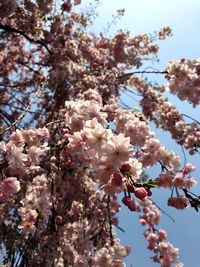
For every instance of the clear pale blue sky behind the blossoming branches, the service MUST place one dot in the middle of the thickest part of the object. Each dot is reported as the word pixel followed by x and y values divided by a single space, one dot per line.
pixel 147 16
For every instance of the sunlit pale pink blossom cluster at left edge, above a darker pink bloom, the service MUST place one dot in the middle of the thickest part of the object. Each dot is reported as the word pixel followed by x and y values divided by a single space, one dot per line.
pixel 24 150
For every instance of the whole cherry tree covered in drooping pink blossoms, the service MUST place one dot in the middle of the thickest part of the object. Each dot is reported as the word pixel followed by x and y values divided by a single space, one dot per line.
pixel 68 146
